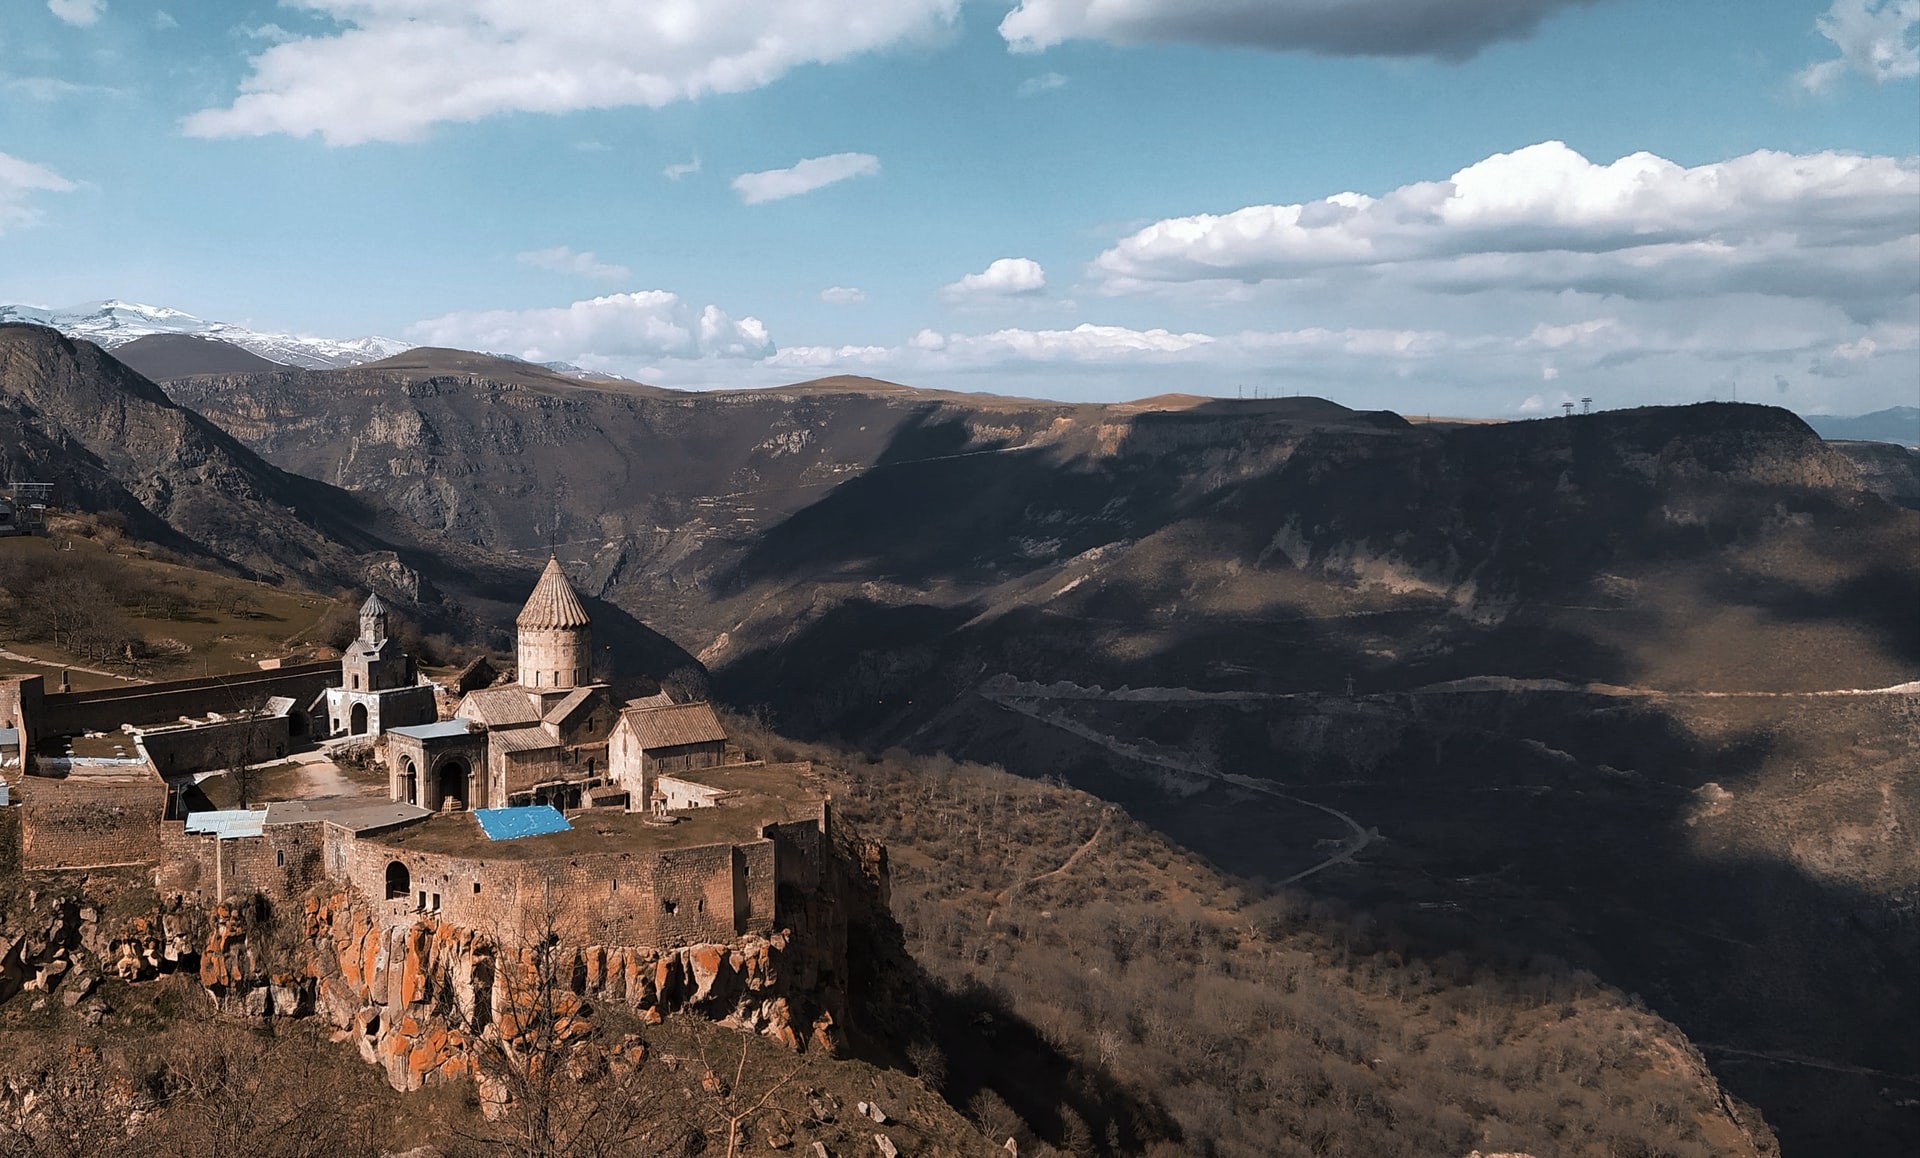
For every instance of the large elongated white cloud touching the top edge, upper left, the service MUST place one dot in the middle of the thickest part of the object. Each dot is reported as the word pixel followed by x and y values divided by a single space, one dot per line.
pixel 398 68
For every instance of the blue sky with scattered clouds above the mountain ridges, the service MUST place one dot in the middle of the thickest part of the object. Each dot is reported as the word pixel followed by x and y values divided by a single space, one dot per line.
pixel 1026 197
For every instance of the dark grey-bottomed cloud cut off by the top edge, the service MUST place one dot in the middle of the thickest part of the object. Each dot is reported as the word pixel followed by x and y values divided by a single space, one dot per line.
pixel 1449 30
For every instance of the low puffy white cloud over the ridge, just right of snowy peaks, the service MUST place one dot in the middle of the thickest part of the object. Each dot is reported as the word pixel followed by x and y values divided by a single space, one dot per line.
pixel 600 333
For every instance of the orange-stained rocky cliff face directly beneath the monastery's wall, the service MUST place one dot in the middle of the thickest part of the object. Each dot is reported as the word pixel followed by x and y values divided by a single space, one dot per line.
pixel 431 1001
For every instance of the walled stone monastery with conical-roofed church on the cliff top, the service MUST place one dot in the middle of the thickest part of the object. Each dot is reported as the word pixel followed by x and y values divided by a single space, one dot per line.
pixel 537 808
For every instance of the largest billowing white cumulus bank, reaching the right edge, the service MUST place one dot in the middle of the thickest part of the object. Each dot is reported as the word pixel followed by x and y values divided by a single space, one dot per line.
pixel 1545 218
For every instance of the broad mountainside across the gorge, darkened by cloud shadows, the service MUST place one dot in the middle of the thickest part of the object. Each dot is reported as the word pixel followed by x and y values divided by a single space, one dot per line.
pixel 1462 671
